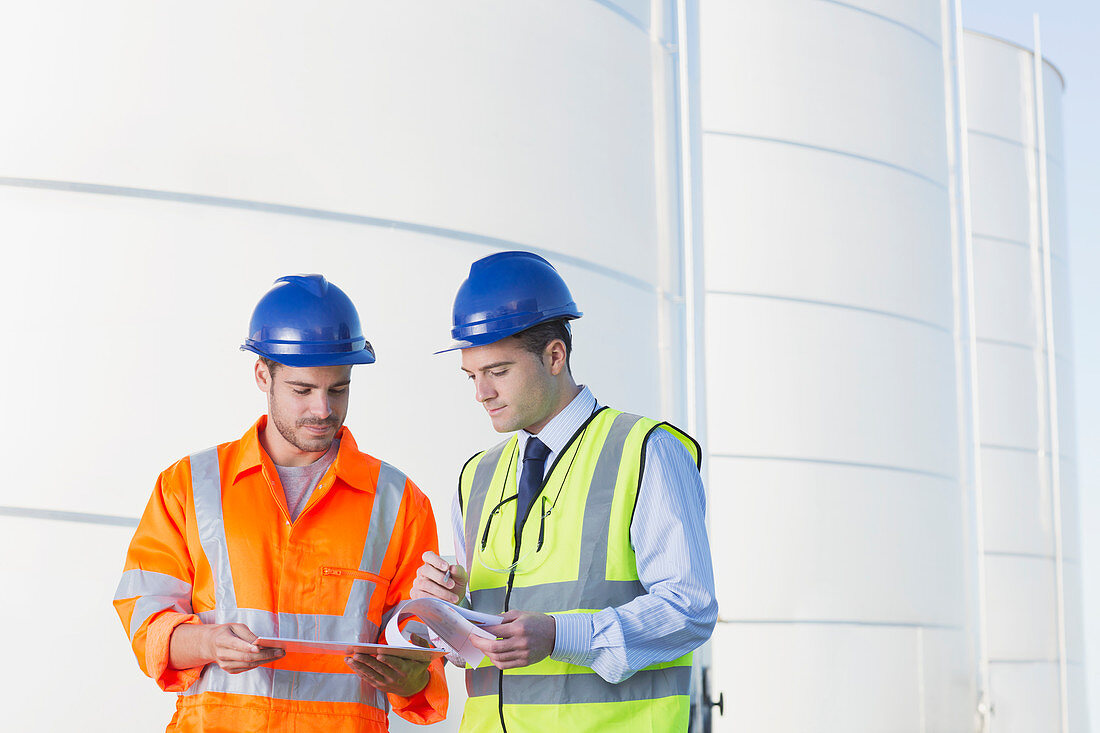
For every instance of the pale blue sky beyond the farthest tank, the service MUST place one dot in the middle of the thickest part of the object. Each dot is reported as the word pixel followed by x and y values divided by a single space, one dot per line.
pixel 1071 36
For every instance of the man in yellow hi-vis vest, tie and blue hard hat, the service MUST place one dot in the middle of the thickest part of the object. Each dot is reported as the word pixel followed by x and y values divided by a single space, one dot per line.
pixel 586 529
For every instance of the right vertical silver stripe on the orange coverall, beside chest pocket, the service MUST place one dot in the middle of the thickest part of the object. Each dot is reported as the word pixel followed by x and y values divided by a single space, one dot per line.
pixel 388 505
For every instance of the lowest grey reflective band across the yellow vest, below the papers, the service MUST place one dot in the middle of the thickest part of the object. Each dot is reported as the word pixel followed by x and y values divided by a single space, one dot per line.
pixel 567 690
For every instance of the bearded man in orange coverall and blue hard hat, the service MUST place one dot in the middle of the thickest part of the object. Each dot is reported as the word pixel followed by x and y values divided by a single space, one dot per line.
pixel 289 532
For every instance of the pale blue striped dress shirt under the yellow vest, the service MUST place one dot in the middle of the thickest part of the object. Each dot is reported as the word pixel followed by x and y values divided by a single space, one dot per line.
pixel 678 611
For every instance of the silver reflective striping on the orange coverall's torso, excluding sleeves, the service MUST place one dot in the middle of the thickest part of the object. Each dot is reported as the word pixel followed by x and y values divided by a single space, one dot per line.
pixel 289 684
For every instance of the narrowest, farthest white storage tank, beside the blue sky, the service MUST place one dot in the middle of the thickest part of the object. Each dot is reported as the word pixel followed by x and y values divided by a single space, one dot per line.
pixel 1032 556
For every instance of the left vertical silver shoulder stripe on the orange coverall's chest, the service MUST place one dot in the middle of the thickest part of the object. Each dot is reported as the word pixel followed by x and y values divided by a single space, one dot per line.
pixel 206 488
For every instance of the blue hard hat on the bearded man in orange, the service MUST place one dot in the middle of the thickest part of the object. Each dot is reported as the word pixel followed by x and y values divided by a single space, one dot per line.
pixel 305 321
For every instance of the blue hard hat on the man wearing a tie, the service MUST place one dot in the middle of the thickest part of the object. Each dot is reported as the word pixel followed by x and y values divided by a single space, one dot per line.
pixel 508 293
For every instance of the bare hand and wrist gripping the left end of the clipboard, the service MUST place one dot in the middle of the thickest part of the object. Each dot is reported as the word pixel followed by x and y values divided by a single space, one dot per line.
pixel 230 647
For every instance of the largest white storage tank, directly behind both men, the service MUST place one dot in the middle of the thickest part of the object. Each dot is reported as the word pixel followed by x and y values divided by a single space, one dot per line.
pixel 174 160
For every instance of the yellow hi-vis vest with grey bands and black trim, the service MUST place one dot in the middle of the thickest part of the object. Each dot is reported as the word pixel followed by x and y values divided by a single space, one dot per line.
pixel 574 556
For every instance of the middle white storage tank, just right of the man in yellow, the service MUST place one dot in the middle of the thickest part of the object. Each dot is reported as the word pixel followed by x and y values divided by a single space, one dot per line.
pixel 831 354
